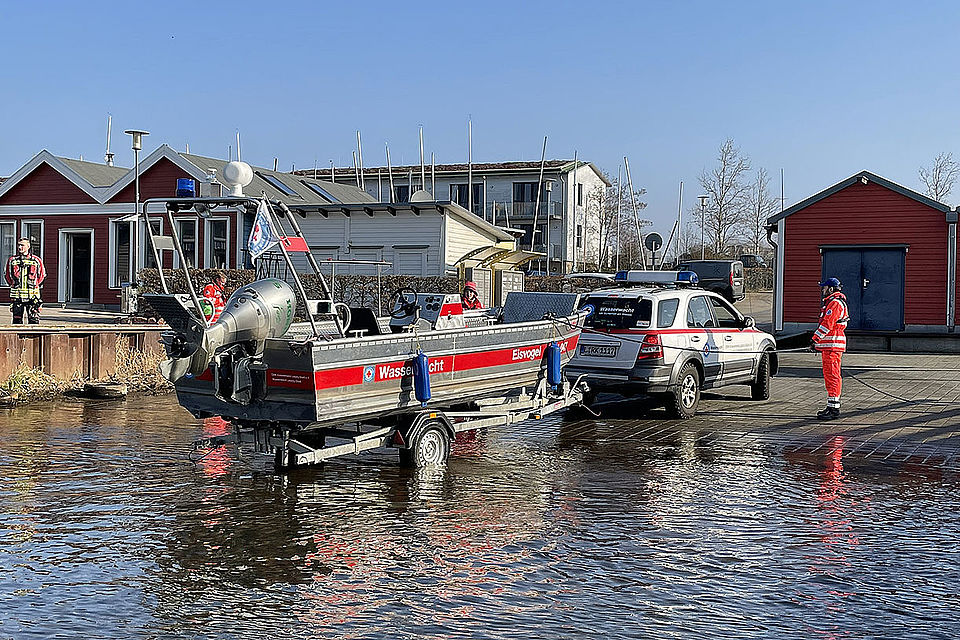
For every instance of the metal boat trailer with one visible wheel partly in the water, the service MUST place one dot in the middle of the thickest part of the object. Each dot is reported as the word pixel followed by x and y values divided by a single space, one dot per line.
pixel 422 437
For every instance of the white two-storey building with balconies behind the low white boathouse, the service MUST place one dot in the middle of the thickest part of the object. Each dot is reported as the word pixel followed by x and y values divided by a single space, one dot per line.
pixel 504 195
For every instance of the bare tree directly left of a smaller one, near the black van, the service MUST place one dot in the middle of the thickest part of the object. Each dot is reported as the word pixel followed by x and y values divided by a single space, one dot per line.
pixel 728 204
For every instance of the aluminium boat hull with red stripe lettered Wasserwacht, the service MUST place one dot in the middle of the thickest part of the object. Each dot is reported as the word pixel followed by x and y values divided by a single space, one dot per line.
pixel 345 380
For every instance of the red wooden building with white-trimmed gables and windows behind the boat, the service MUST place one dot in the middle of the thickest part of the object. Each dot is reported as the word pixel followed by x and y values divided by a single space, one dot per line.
pixel 78 216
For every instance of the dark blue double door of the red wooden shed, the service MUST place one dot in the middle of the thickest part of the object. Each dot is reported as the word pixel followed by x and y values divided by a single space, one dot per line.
pixel 872 280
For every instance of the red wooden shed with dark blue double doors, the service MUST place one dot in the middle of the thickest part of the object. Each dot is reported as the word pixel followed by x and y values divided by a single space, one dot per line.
pixel 893 249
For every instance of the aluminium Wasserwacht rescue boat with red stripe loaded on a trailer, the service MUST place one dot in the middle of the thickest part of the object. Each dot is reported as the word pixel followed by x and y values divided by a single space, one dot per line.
pixel 258 364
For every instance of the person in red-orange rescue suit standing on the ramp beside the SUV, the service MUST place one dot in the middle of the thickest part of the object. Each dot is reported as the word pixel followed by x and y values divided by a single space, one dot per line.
pixel 831 341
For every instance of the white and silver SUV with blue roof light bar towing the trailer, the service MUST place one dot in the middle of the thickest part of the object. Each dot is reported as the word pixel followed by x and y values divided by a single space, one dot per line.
pixel 660 335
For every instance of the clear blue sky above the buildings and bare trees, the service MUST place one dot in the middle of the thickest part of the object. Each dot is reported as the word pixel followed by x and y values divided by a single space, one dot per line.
pixel 819 89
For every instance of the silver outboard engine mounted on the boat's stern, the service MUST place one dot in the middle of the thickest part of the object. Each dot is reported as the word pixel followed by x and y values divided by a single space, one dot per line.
pixel 232 347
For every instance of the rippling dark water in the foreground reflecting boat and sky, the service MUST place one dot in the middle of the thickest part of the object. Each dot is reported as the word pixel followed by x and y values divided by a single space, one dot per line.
pixel 108 531
